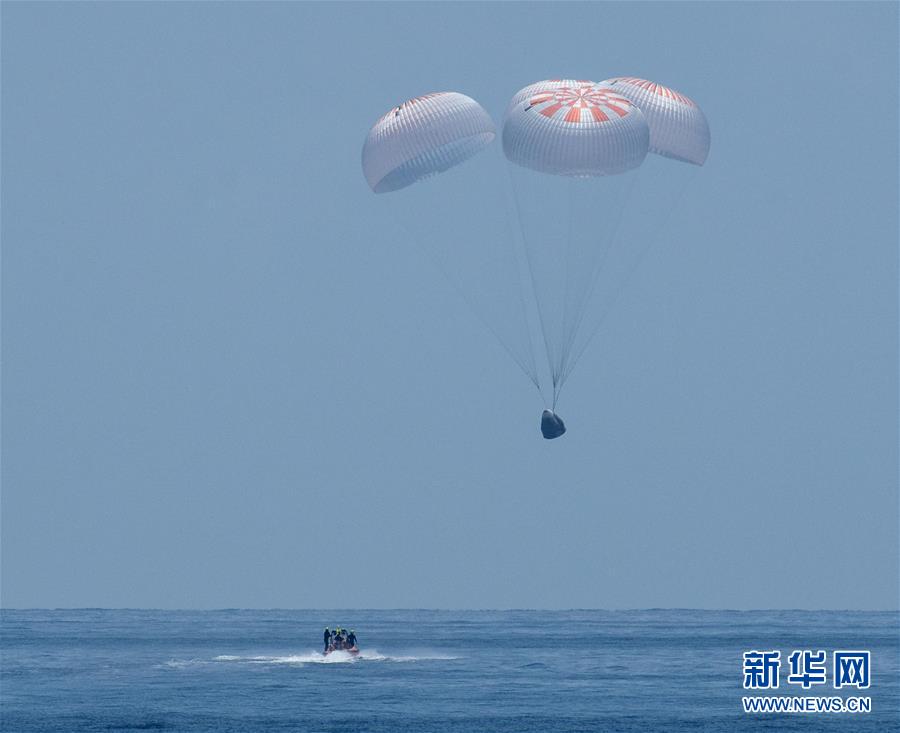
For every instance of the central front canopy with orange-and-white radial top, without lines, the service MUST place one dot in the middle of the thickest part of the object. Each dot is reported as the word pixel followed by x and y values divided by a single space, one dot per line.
pixel 574 129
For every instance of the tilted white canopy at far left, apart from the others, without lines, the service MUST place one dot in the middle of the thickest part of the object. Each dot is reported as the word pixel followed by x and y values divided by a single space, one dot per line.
pixel 422 137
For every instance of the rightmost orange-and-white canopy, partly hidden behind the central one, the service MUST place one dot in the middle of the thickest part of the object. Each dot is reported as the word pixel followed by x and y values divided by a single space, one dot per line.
pixel 678 127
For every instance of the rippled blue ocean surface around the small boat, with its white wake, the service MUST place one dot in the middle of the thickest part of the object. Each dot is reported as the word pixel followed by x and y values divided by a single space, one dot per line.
pixel 442 671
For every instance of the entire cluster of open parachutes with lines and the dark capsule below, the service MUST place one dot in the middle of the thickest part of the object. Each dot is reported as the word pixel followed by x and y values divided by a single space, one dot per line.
pixel 572 151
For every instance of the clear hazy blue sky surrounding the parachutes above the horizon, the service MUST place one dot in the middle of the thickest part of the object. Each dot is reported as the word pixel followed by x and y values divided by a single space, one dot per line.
pixel 214 341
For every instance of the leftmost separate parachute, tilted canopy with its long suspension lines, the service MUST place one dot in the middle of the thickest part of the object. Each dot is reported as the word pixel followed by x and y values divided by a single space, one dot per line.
pixel 415 154
